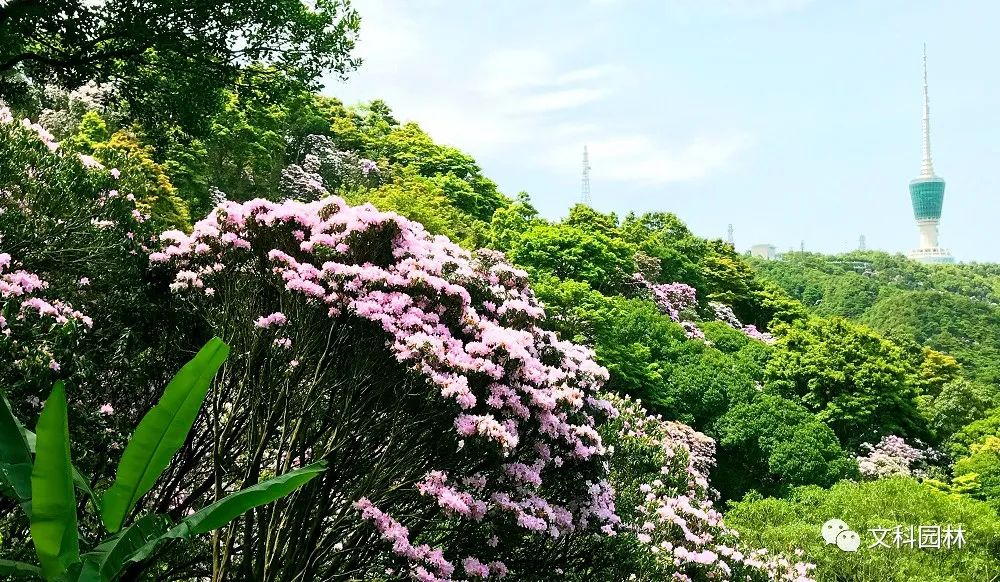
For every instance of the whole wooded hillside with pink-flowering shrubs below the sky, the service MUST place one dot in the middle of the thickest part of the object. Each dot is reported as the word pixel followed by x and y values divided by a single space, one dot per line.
pixel 483 392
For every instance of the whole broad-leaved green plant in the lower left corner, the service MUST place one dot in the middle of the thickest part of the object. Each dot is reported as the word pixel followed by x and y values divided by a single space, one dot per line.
pixel 36 469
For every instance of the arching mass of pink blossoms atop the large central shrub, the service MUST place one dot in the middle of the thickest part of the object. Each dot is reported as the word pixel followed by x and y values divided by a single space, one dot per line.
pixel 467 323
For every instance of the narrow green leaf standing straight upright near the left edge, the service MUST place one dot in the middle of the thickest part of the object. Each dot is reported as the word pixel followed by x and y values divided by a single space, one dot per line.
pixel 53 506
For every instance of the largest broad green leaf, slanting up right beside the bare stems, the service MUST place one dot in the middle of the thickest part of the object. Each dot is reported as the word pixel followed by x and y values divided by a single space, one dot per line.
pixel 161 433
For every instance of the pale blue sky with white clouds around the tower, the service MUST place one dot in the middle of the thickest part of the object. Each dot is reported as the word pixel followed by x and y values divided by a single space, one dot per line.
pixel 792 119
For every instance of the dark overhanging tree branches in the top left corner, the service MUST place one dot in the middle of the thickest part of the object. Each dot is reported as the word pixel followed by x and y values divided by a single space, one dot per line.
pixel 170 61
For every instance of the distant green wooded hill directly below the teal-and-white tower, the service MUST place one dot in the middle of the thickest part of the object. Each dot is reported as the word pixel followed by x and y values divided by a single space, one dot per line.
pixel 950 308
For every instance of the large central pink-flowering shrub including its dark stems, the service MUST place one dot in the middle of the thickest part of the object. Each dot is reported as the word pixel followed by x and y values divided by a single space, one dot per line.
pixel 511 408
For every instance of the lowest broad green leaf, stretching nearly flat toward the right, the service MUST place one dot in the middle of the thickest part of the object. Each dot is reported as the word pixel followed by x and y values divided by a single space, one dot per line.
pixel 234 505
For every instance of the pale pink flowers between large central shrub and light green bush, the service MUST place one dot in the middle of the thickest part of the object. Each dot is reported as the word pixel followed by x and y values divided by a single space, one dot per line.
pixel 676 519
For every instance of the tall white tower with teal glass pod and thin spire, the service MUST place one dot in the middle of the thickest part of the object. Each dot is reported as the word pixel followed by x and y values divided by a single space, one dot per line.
pixel 927 196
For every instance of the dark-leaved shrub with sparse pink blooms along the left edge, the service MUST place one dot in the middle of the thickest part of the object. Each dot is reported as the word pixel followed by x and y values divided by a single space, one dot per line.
pixel 76 302
